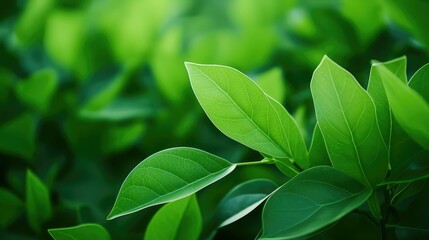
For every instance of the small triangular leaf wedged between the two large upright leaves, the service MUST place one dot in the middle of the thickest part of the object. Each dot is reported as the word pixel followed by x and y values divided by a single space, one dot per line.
pixel 318 154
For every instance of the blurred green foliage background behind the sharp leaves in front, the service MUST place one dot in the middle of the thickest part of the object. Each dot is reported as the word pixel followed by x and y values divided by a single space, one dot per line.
pixel 90 88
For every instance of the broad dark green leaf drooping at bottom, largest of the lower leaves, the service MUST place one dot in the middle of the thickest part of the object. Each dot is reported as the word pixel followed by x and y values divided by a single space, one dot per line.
pixel 314 199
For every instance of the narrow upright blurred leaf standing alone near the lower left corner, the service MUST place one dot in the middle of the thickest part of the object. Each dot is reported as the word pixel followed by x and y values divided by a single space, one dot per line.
pixel 37 201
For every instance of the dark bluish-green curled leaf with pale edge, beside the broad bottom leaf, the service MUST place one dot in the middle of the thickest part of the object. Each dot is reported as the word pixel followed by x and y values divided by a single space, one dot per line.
pixel 242 200
